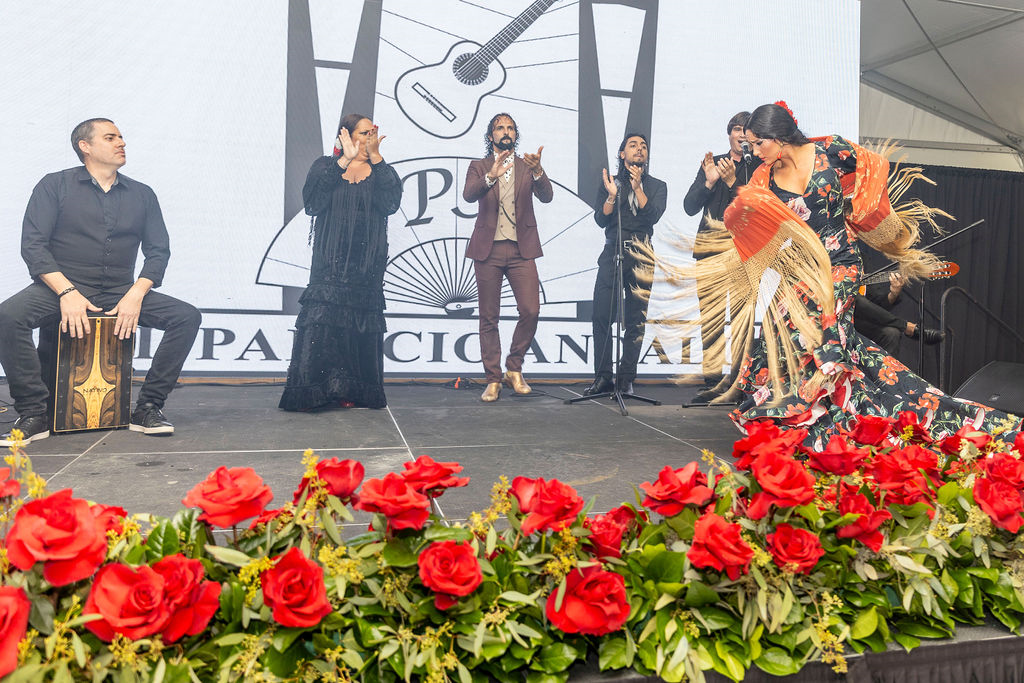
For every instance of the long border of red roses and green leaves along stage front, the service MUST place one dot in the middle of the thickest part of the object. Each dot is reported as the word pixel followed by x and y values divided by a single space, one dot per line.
pixel 785 558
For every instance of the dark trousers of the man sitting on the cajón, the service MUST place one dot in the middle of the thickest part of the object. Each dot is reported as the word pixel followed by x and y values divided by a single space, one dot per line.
pixel 37 307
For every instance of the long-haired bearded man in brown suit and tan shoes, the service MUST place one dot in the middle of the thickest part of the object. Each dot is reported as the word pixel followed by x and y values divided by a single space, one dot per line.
pixel 504 244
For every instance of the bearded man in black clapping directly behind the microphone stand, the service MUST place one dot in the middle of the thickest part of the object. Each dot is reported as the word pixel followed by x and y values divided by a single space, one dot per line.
pixel 638 200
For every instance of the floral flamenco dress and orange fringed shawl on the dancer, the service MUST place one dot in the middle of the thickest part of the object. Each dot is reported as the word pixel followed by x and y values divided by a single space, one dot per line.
pixel 800 258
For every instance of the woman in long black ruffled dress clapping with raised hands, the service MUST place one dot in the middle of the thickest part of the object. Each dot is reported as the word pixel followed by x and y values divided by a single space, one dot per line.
pixel 337 358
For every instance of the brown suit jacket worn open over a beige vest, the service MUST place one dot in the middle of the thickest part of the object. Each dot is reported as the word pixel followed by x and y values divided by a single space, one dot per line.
pixel 487 218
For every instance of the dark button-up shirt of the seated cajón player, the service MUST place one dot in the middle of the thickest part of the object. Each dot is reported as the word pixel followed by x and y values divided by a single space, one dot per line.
pixel 93 237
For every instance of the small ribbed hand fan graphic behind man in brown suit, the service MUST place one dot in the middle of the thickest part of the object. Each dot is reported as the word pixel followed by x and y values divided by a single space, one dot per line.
pixel 436 275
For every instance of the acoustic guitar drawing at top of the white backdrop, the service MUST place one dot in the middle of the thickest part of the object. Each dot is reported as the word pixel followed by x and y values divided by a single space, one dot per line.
pixel 444 99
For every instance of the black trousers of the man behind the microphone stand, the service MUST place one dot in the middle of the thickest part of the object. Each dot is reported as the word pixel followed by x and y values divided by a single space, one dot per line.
pixel 607 309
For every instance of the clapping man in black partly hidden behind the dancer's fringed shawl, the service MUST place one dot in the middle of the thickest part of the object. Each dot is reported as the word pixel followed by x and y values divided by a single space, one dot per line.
pixel 713 190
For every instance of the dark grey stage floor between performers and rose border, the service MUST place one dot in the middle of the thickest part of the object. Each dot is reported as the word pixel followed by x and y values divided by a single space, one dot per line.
pixel 589 446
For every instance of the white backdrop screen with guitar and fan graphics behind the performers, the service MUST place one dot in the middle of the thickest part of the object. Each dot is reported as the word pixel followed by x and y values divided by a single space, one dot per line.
pixel 201 93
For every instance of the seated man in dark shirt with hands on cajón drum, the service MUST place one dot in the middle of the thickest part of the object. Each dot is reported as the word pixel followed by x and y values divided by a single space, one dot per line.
pixel 80 240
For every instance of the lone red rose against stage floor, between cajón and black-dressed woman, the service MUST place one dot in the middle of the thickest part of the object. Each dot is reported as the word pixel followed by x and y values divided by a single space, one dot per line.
pixel 230 496
